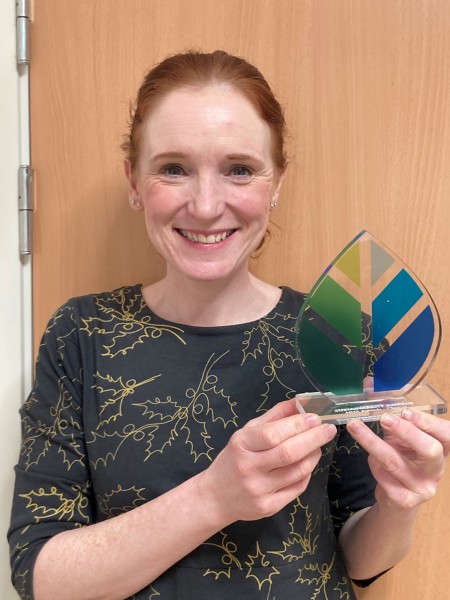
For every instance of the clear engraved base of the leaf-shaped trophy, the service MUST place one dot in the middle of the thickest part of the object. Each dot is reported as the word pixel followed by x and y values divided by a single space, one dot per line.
pixel 369 406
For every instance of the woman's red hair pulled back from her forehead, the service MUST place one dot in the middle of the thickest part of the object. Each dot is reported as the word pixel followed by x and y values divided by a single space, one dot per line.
pixel 195 69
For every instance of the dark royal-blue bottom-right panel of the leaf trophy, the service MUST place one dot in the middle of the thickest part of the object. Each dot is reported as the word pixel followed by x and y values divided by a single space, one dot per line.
pixel 402 361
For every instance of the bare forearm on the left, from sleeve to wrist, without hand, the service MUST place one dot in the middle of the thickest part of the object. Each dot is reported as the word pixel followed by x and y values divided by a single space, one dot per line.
pixel 115 558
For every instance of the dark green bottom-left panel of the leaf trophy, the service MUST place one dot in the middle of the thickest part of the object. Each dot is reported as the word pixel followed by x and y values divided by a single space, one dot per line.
pixel 326 364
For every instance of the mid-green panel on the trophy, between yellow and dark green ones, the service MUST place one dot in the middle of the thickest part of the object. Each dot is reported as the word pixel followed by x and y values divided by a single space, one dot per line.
pixel 339 309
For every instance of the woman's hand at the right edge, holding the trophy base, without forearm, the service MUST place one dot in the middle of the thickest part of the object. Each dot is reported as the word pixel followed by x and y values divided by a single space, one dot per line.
pixel 409 462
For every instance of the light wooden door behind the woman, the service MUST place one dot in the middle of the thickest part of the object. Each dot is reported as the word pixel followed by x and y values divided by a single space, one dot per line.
pixel 365 84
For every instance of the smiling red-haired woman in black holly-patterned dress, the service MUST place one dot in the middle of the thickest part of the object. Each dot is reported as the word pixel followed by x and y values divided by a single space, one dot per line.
pixel 159 415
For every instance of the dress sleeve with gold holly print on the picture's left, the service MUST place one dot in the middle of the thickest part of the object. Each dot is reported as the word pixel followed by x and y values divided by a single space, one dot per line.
pixel 52 489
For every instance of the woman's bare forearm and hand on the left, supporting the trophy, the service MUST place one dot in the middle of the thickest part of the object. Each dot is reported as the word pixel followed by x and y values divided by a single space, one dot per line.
pixel 265 465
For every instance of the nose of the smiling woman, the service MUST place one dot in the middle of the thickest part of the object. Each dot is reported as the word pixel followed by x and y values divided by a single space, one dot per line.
pixel 207 201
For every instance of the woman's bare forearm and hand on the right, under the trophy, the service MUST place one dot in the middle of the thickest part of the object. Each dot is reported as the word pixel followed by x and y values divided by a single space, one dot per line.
pixel 407 465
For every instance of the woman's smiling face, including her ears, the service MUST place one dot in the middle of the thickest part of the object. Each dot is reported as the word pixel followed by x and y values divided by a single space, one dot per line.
pixel 205 180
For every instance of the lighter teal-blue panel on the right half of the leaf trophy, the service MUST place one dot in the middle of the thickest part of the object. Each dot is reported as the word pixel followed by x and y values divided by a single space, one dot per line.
pixel 393 303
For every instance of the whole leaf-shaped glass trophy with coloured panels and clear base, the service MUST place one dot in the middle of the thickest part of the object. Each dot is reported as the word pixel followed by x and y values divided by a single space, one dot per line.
pixel 366 336
